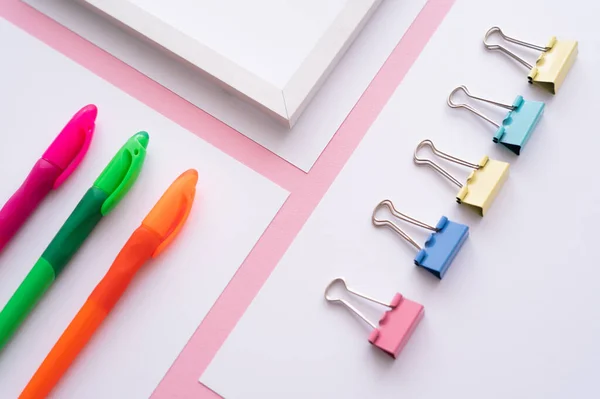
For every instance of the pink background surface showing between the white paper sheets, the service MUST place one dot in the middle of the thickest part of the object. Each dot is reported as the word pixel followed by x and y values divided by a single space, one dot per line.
pixel 306 190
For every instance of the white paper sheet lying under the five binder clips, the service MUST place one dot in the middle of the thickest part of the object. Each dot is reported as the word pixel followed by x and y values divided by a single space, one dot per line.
pixel 515 316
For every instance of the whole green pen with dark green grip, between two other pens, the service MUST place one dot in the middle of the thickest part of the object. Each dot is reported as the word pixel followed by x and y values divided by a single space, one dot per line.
pixel 113 184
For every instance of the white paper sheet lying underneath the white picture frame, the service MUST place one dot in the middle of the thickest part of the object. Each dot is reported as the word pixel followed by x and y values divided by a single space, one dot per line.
pixel 303 144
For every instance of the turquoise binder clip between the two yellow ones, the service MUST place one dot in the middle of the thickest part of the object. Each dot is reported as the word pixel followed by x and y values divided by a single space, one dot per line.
pixel 522 118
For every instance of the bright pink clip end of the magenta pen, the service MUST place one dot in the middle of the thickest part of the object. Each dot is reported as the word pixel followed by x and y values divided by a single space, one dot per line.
pixel 70 146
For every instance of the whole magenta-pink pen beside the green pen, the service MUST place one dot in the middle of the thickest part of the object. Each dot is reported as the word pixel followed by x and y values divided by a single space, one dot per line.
pixel 57 163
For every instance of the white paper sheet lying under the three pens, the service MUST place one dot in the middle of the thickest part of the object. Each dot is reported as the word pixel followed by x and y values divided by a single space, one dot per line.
pixel 40 89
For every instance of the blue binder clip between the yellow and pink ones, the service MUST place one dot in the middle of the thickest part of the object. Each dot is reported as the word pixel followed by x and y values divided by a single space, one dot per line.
pixel 440 248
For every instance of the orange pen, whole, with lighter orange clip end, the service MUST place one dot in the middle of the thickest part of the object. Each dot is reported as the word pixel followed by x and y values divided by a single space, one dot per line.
pixel 156 232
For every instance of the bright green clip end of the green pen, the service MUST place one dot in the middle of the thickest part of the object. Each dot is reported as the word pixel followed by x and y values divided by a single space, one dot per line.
pixel 122 171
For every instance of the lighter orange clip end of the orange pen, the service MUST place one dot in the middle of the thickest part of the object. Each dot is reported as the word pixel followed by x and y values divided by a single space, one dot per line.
pixel 172 210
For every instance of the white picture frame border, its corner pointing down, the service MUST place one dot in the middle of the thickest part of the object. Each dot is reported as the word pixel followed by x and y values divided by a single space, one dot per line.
pixel 283 104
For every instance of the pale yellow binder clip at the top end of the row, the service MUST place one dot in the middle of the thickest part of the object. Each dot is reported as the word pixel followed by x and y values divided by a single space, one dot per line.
pixel 552 65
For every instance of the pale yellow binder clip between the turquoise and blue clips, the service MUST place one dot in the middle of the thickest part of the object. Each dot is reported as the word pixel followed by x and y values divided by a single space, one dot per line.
pixel 483 183
